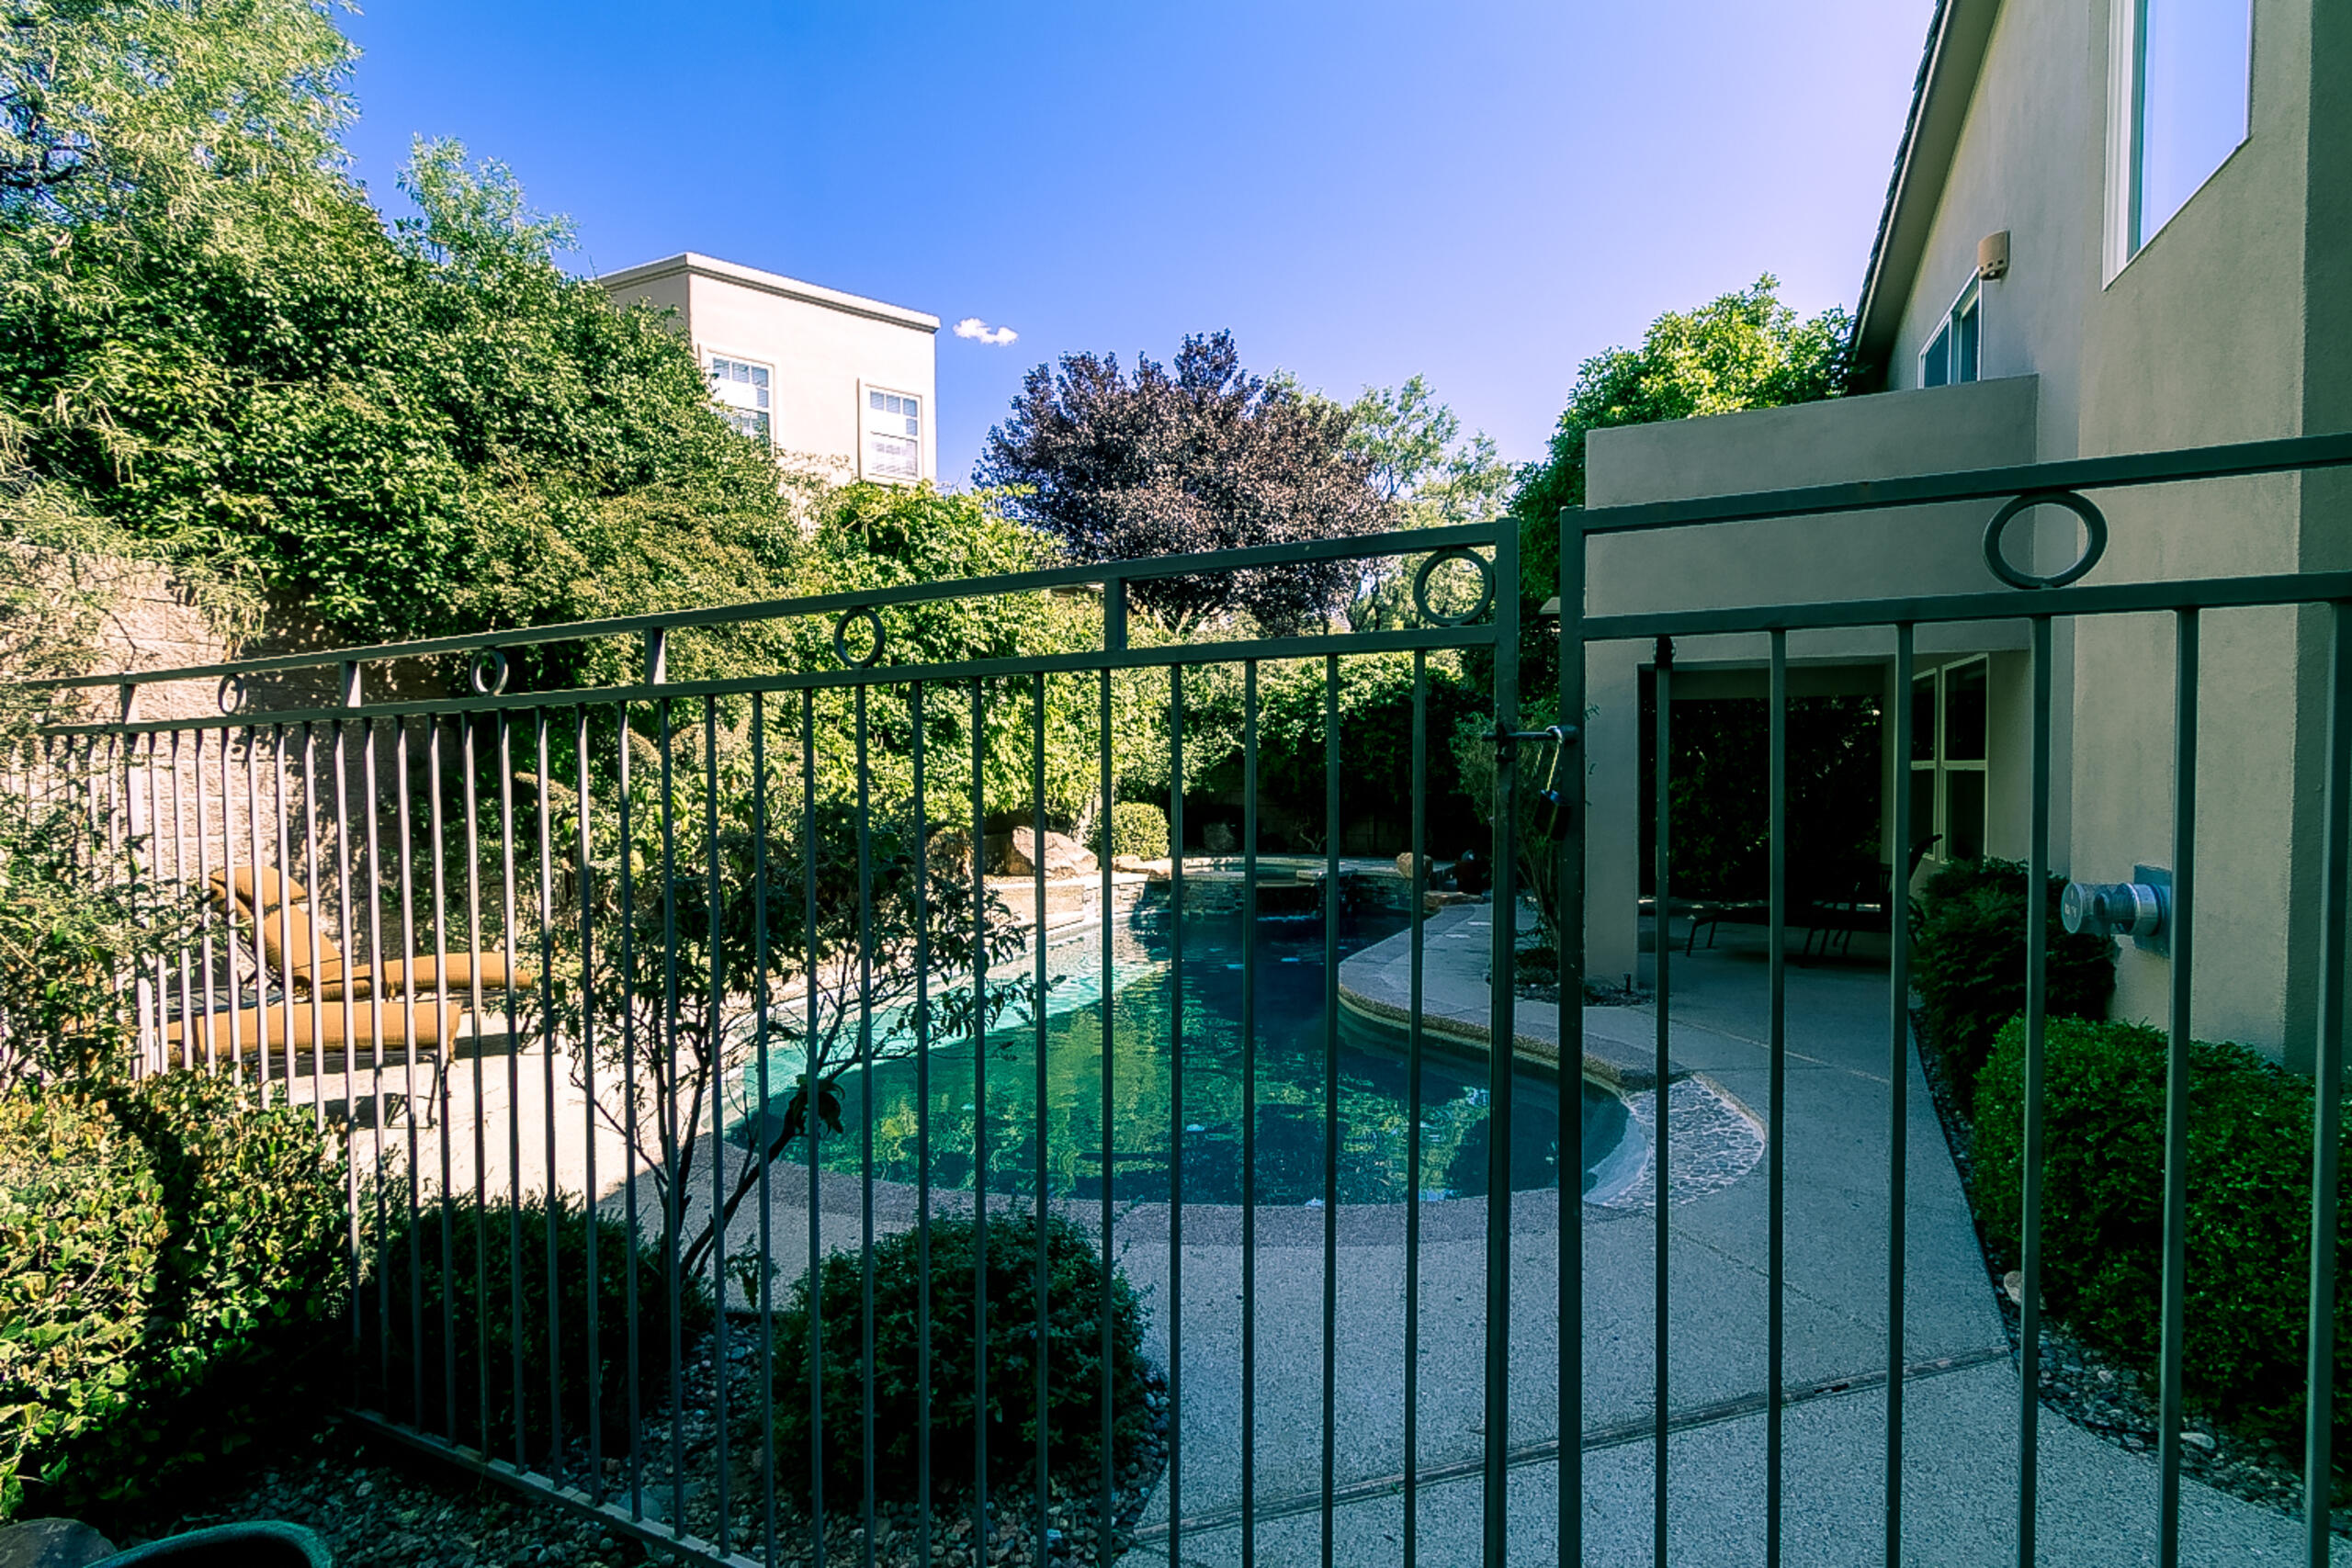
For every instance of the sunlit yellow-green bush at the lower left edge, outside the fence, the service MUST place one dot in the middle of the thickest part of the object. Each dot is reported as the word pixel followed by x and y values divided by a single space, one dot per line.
pixel 171 1271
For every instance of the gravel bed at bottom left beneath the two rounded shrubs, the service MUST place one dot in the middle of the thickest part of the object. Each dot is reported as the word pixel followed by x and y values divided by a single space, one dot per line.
pixel 382 1503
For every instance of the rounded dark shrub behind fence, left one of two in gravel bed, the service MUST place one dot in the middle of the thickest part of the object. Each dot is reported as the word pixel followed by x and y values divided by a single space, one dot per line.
pixel 476 1296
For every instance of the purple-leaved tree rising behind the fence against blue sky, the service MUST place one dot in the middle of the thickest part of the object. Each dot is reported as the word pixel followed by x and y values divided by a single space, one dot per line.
pixel 1189 460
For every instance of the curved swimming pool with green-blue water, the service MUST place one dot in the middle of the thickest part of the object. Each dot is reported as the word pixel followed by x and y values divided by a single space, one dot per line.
pixel 1290 1083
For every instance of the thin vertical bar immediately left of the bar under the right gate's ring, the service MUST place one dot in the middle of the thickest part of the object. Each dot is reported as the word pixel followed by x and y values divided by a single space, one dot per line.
pixel 1897 1083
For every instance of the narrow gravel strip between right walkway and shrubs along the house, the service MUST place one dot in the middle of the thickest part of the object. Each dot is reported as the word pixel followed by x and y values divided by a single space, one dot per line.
pixel 2106 1398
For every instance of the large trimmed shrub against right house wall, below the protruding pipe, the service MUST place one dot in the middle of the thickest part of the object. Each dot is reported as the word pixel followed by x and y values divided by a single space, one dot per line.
pixel 2250 1217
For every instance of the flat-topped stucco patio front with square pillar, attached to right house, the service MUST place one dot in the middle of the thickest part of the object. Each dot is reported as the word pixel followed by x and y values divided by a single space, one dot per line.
pixel 1798 561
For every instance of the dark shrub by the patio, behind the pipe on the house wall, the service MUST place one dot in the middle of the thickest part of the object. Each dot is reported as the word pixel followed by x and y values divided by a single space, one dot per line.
pixel 1970 963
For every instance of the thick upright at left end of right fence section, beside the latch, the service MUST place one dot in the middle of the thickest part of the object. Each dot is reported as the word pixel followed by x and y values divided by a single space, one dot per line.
pixel 1570 817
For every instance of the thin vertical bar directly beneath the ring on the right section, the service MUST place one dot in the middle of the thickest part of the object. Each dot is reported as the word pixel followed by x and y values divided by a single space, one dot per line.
pixel 2038 918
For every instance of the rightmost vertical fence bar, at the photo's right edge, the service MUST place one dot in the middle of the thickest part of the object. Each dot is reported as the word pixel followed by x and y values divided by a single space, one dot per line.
pixel 2327 1097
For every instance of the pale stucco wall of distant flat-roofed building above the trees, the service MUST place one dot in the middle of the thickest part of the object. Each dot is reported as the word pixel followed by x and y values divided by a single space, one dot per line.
pixel 824 349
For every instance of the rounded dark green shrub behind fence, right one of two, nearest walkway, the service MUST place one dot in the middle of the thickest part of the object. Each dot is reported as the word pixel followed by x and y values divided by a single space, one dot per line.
pixel 1074 1362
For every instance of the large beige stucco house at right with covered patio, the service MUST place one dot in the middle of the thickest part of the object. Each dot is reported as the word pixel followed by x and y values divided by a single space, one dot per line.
pixel 2113 227
